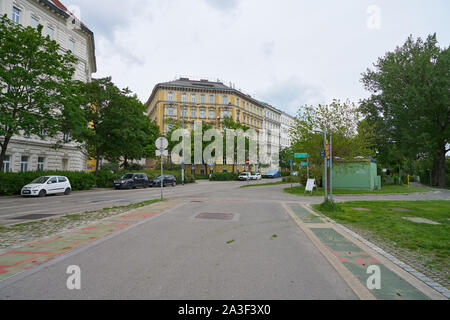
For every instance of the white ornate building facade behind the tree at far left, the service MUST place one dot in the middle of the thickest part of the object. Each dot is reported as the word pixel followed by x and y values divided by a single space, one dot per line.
pixel 31 153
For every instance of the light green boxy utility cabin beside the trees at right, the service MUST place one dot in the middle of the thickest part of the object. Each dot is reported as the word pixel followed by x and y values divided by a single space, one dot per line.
pixel 357 174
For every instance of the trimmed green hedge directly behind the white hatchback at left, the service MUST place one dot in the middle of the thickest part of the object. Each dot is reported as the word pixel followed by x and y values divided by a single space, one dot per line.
pixel 12 182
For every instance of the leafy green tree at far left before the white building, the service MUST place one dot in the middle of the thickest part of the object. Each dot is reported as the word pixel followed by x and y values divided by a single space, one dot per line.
pixel 37 94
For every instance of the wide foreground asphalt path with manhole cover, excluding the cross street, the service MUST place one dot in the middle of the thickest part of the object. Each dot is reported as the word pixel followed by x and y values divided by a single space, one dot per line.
pixel 178 256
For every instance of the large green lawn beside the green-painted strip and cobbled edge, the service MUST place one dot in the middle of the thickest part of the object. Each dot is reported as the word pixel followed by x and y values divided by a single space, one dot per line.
pixel 386 222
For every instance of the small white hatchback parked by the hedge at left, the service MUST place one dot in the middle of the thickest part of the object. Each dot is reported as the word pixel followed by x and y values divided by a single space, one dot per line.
pixel 43 186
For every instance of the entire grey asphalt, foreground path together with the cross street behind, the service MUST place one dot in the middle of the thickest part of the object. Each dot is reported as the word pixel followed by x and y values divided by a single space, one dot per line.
pixel 260 254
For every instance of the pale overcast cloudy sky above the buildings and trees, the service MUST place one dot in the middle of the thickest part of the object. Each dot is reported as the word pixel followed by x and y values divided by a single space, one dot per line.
pixel 286 52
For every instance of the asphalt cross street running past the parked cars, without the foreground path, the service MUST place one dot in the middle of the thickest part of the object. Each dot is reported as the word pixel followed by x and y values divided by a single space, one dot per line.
pixel 12 209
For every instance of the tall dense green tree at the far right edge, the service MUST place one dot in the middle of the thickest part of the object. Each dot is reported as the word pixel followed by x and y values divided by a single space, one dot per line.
pixel 410 104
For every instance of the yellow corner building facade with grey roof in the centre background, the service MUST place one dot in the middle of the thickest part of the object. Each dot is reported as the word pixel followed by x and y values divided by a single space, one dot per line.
pixel 203 100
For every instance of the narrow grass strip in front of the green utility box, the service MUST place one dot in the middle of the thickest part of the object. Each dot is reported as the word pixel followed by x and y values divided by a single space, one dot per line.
pixel 300 190
